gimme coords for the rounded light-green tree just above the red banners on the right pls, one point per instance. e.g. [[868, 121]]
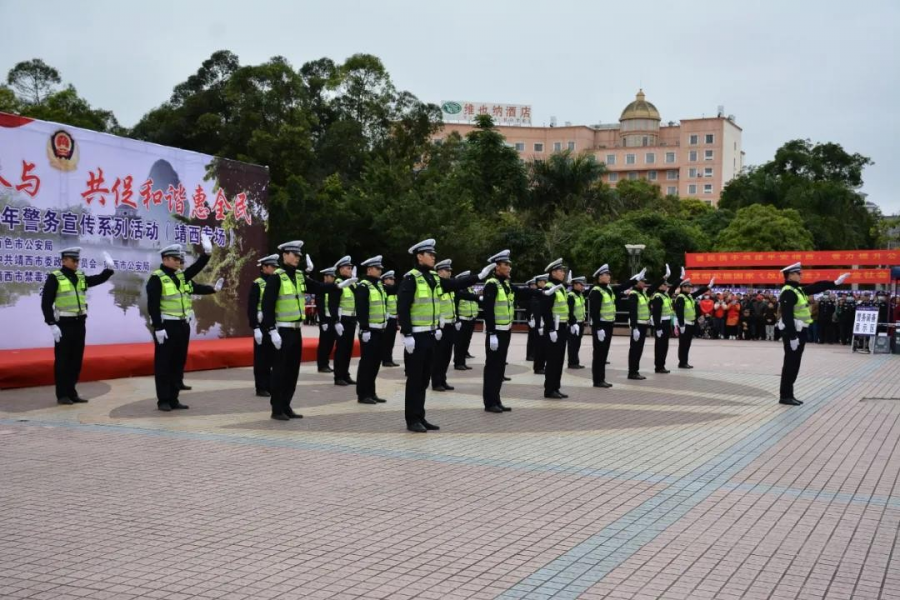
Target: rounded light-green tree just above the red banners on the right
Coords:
[[760, 228]]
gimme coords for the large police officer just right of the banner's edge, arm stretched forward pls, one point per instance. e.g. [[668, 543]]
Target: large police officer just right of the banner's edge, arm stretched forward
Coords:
[[284, 307]]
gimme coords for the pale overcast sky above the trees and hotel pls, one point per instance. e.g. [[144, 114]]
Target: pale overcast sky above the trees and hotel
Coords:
[[826, 70]]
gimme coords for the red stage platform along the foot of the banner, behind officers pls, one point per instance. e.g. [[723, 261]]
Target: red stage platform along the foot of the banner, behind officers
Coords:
[[32, 367]]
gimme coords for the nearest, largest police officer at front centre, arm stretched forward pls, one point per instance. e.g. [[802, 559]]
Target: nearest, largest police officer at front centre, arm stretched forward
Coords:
[[418, 310]]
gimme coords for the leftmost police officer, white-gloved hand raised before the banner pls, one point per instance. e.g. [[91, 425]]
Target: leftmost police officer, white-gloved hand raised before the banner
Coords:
[[64, 304]]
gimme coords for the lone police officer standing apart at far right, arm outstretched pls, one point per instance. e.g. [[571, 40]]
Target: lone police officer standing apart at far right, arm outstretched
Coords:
[[795, 319]]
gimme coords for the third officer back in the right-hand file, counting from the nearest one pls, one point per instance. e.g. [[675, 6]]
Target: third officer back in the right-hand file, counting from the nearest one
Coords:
[[558, 321]]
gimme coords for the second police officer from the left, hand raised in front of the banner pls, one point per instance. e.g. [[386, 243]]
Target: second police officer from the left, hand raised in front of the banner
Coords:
[[170, 305]]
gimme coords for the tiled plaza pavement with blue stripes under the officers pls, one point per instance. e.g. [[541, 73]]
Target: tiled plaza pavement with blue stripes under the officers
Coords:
[[696, 484]]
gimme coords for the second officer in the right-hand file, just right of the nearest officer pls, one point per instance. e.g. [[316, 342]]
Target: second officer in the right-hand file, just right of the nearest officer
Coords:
[[499, 298]]
